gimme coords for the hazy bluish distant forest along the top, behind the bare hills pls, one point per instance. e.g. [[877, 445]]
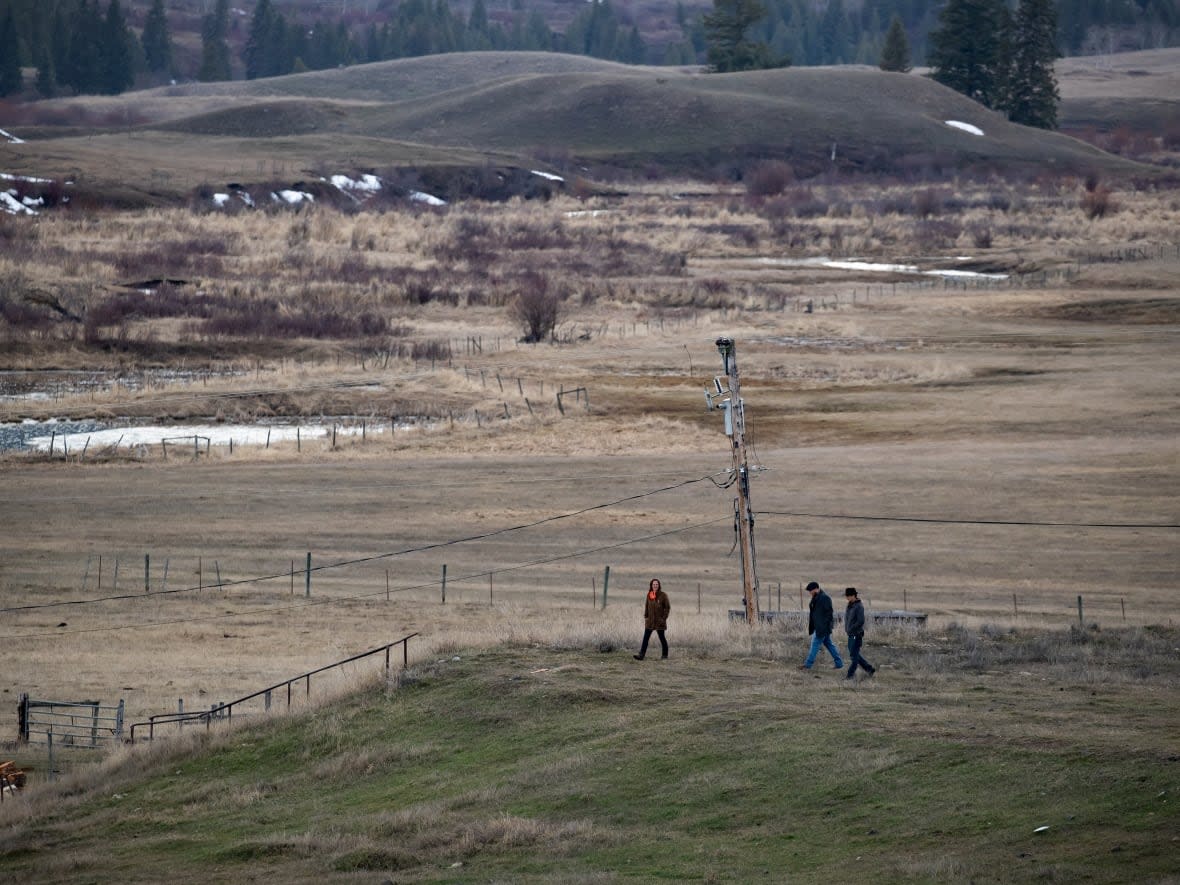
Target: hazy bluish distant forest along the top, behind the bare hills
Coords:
[[108, 47]]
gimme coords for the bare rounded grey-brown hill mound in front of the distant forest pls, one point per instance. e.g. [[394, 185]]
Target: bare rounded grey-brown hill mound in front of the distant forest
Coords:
[[566, 114]]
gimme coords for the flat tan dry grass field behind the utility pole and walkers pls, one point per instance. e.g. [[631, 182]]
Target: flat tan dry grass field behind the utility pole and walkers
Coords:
[[984, 453]]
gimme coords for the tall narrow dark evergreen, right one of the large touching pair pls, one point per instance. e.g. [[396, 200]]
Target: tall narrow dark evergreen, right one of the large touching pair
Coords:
[[1032, 94]]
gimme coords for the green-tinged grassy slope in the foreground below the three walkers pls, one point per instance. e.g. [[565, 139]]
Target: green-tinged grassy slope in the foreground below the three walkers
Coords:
[[709, 768]]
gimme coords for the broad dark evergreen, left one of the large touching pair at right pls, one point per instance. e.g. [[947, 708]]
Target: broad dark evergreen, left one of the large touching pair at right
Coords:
[[967, 49]]
